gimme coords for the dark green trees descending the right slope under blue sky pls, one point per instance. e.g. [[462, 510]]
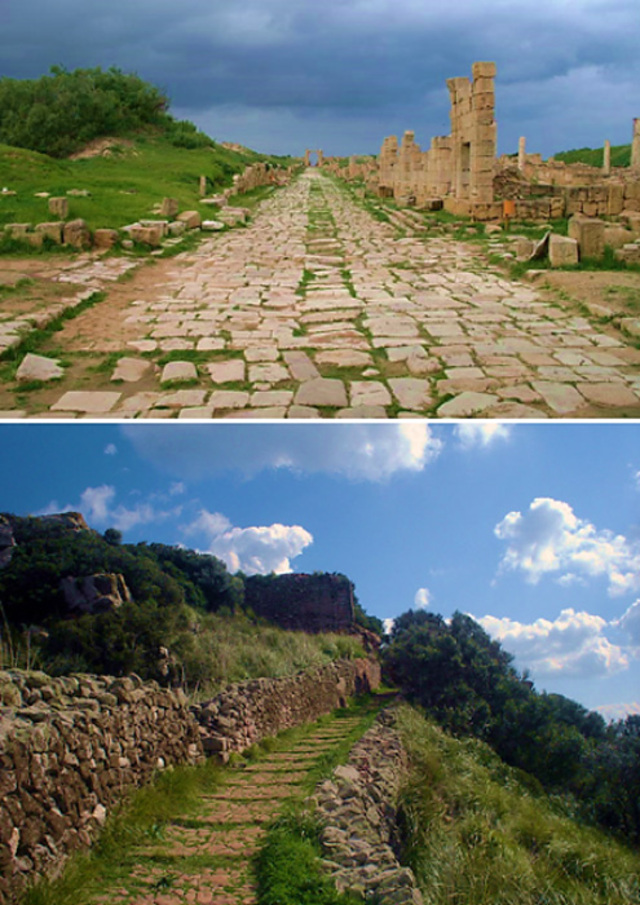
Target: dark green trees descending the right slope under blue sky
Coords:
[[468, 683]]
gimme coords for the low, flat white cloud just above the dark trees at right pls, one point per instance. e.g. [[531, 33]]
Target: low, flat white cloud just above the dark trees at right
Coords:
[[574, 644]]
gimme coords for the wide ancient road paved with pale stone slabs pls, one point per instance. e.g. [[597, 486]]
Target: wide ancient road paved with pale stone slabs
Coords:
[[317, 309]]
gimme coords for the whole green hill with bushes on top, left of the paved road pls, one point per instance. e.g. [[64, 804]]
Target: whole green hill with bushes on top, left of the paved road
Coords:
[[140, 153]]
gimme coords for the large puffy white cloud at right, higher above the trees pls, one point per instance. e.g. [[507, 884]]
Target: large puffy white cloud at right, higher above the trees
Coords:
[[549, 537]]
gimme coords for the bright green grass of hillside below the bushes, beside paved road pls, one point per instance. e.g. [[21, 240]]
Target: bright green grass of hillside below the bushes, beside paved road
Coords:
[[124, 186]]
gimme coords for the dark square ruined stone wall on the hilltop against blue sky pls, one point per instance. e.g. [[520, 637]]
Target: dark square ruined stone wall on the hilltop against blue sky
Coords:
[[310, 603]]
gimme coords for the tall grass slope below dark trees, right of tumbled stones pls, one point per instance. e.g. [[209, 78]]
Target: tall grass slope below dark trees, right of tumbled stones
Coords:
[[480, 833]]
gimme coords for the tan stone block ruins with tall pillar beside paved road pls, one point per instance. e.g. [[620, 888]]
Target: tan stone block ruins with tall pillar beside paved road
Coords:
[[461, 172]]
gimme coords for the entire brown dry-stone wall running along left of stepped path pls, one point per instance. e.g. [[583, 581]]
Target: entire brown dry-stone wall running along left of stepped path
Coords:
[[71, 748]]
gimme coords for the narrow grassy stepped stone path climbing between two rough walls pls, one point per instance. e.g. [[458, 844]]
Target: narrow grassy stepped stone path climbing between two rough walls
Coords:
[[207, 859]]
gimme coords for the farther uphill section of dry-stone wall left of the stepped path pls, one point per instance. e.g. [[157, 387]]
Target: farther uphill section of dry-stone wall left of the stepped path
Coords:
[[250, 711]]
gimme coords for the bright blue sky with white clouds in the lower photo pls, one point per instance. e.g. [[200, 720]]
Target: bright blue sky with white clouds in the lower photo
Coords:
[[533, 529]]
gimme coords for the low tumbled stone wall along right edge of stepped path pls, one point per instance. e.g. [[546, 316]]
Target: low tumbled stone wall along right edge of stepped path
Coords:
[[359, 807]]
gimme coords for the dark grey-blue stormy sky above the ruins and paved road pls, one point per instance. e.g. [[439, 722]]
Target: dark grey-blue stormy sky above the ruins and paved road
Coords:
[[284, 75]]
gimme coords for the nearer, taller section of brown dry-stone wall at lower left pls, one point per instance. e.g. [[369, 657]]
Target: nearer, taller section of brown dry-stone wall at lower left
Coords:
[[69, 750]]
